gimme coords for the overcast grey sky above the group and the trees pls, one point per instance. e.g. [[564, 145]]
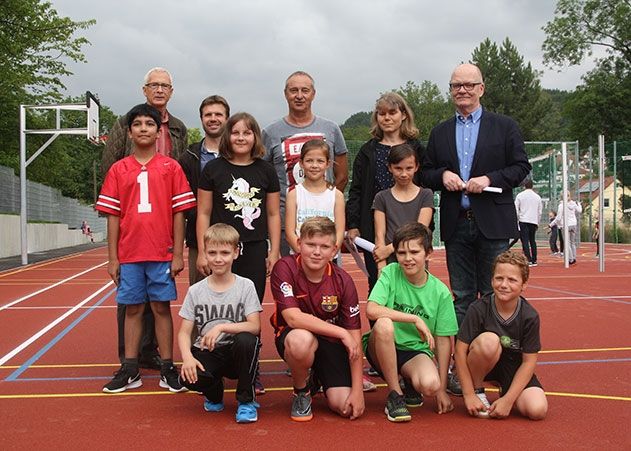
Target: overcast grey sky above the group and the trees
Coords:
[[244, 50]]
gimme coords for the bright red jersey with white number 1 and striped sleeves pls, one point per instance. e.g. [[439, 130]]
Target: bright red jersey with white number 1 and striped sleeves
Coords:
[[145, 197]]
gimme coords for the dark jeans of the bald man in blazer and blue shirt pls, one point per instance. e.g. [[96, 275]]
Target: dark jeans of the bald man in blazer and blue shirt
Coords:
[[470, 257]]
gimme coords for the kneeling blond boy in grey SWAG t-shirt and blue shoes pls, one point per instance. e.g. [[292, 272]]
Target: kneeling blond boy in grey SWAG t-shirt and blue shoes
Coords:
[[225, 310]]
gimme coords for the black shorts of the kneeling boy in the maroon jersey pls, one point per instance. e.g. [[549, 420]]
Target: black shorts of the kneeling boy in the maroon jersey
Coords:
[[331, 365]]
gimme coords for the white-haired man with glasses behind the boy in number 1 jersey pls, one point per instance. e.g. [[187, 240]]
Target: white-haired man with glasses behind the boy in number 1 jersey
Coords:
[[157, 88]]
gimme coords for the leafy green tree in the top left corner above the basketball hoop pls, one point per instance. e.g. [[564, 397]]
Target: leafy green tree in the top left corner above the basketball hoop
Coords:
[[35, 46]]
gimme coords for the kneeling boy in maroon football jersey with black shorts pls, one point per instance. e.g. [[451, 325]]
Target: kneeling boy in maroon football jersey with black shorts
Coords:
[[317, 323]]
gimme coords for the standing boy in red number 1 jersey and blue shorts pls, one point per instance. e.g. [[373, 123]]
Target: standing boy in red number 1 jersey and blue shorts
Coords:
[[144, 196]]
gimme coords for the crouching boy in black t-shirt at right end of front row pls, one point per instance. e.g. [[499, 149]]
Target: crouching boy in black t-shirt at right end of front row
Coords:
[[498, 341]]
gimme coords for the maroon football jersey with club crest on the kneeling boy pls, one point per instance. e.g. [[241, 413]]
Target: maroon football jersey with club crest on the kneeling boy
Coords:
[[334, 299]]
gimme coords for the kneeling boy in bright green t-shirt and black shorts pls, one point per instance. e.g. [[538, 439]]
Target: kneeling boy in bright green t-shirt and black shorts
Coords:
[[413, 313]]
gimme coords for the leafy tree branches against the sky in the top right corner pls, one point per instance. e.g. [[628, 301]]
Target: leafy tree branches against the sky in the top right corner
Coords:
[[580, 25]]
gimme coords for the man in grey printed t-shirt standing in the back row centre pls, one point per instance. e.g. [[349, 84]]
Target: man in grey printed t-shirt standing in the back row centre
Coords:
[[284, 138]]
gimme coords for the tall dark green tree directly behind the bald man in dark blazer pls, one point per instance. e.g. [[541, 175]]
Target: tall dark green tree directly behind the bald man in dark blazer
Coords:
[[512, 88]]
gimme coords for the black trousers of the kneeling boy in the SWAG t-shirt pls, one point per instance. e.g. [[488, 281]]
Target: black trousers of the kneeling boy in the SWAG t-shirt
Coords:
[[238, 360]]
